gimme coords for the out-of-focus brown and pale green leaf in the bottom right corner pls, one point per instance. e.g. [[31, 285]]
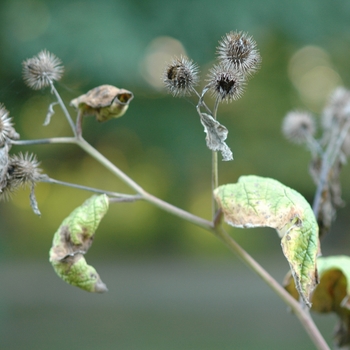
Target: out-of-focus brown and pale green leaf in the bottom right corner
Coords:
[[332, 294]]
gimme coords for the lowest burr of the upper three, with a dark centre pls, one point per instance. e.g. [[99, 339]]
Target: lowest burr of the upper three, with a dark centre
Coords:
[[225, 84]]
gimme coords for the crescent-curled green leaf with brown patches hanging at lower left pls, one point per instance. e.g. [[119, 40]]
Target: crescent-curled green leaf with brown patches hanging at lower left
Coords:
[[73, 239]]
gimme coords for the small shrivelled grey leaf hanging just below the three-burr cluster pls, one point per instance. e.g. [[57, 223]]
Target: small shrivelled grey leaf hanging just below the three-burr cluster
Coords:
[[216, 136]]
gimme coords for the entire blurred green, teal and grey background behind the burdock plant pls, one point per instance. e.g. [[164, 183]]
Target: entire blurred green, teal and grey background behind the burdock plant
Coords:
[[172, 285]]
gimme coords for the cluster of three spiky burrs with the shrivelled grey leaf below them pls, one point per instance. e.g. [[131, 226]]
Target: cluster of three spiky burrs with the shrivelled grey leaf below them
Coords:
[[238, 59]]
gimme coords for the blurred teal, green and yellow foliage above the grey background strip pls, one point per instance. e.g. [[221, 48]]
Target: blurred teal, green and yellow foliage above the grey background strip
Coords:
[[160, 141]]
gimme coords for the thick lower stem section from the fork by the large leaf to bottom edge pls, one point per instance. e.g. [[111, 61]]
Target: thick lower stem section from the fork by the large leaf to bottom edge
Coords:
[[302, 315]]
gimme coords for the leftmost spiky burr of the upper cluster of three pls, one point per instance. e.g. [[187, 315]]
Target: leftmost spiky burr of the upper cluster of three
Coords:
[[181, 76]]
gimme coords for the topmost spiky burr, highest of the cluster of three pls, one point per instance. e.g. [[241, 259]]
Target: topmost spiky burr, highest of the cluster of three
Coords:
[[238, 50]]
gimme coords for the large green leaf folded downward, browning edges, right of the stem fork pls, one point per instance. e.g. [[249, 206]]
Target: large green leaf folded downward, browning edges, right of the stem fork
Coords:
[[256, 201]]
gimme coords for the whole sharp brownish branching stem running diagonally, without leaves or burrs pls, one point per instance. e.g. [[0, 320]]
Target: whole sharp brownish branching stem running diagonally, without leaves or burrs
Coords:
[[212, 226]]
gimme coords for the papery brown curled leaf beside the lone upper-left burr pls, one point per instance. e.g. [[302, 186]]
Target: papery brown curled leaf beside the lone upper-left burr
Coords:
[[104, 102]]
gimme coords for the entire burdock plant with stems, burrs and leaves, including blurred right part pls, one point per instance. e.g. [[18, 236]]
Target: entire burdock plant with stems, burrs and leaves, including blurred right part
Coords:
[[252, 201]]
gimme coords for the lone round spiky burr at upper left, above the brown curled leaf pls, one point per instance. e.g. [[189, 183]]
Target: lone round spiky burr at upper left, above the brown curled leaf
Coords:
[[42, 69]]
